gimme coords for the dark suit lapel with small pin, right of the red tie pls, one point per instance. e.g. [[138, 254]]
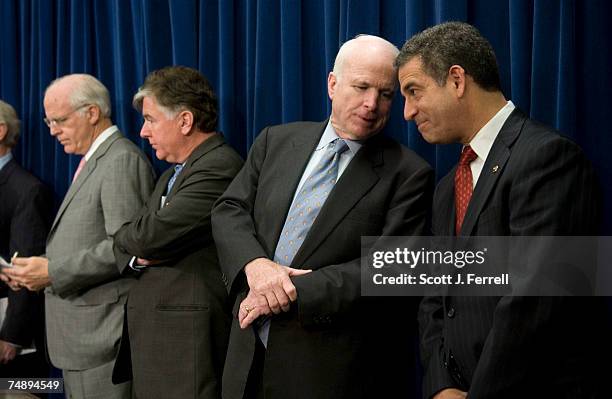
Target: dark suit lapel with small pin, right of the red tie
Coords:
[[492, 169]]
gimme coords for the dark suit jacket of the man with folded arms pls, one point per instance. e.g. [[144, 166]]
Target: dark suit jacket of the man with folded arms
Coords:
[[177, 312]]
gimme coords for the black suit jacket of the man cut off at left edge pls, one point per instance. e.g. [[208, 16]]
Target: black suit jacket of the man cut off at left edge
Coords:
[[25, 216]]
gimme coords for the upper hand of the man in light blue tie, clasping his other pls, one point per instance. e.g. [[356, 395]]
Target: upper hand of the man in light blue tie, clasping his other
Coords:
[[273, 282]]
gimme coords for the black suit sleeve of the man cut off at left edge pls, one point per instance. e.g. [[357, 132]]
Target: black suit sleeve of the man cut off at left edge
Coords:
[[29, 227]]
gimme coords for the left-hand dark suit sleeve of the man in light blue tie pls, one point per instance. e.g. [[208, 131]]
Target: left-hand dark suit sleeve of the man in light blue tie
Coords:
[[232, 219]]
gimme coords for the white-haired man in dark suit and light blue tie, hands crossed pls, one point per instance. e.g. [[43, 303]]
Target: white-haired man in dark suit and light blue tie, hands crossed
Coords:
[[288, 231]]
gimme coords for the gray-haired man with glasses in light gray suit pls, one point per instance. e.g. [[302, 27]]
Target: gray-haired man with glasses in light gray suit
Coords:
[[85, 292]]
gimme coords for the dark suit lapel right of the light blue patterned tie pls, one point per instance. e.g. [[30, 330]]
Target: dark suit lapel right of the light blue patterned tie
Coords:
[[358, 178]]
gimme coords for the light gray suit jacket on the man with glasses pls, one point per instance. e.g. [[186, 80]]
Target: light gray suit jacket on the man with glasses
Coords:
[[84, 304]]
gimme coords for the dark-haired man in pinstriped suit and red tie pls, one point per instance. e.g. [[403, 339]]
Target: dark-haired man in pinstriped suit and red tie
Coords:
[[515, 177]]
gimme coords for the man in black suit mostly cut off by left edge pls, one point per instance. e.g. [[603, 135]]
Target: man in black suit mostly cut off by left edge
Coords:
[[25, 216]]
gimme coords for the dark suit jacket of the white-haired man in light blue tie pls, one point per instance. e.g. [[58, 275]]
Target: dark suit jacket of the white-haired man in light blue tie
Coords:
[[333, 343]]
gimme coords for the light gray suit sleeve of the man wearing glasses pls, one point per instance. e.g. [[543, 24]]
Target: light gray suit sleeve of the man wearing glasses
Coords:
[[126, 185]]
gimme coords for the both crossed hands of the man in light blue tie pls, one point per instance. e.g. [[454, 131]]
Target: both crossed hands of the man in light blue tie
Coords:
[[270, 290]]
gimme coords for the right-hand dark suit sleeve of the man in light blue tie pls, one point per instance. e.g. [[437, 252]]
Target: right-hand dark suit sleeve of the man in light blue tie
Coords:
[[334, 290]]
